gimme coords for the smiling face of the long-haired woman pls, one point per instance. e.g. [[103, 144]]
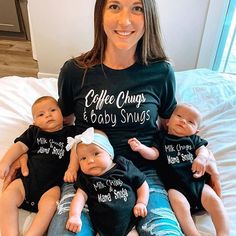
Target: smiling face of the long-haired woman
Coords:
[[123, 23]]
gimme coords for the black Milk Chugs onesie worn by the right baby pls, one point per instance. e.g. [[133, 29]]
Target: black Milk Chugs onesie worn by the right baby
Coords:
[[175, 163]]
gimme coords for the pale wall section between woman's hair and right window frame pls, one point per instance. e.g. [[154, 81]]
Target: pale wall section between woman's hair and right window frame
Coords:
[[182, 23]]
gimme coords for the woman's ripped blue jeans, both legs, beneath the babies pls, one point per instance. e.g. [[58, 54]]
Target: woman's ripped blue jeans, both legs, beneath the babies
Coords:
[[159, 221]]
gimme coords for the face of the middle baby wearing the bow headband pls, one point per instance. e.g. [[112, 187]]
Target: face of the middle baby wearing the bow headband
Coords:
[[93, 160]]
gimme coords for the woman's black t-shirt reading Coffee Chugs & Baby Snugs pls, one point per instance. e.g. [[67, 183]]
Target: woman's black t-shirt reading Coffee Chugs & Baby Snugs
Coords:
[[123, 103]]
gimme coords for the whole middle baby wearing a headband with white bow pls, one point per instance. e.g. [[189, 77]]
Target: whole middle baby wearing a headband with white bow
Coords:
[[116, 191]]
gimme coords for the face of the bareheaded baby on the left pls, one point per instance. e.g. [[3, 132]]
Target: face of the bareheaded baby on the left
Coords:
[[47, 115]]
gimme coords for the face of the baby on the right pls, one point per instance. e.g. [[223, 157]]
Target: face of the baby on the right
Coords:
[[183, 122]]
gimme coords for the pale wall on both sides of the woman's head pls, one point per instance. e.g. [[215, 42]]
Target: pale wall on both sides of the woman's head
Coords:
[[64, 28]]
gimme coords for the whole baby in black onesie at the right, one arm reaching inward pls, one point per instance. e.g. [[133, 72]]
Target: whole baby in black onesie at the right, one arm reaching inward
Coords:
[[179, 152]]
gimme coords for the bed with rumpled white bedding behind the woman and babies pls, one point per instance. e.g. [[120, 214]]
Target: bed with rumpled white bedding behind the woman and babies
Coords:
[[213, 93]]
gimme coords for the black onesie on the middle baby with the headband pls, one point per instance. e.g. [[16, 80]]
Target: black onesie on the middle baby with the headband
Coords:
[[112, 196]]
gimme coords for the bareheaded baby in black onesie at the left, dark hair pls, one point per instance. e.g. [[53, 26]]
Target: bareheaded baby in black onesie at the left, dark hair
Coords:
[[45, 143]]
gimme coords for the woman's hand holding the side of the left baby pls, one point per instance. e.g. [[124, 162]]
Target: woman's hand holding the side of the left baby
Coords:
[[20, 163]]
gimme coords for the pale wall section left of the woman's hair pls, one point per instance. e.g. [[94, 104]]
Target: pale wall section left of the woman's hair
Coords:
[[61, 29]]
